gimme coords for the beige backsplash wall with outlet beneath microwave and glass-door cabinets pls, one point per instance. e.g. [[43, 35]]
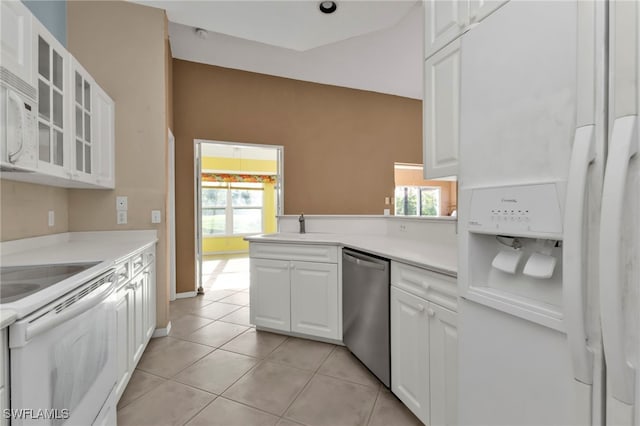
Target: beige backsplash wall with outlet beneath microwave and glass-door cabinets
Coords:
[[24, 209]]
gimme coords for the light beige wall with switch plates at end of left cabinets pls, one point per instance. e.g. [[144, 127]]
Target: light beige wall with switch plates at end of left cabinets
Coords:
[[123, 45]]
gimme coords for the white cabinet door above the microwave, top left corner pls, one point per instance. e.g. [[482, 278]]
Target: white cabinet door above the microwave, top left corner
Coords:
[[16, 41]]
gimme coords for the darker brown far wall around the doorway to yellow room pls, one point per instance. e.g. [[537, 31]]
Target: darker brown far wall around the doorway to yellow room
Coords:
[[340, 144]]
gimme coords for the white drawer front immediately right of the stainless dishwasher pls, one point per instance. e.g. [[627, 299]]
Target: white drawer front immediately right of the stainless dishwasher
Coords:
[[431, 286]]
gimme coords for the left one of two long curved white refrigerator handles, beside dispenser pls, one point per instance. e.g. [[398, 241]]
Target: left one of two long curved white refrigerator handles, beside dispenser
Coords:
[[574, 298]]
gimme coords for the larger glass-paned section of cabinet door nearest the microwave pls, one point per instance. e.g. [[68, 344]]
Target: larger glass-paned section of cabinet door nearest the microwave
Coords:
[[51, 93]]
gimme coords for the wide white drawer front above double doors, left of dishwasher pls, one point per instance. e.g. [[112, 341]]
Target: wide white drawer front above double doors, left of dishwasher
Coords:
[[303, 252]]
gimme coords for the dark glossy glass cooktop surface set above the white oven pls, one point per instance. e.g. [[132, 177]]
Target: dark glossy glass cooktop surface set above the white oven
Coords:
[[17, 282]]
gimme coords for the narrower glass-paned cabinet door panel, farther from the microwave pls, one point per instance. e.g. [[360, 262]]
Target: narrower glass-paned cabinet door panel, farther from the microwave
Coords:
[[83, 88]]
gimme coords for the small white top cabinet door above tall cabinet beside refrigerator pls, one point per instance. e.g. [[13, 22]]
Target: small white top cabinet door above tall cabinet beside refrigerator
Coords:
[[444, 21]]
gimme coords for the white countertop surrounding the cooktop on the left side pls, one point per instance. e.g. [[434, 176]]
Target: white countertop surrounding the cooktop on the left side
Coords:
[[107, 248]]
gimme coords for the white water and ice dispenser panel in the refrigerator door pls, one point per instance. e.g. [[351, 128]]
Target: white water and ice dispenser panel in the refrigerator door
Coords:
[[514, 242]]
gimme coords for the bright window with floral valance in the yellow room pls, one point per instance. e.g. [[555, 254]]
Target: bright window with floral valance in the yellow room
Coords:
[[232, 208]]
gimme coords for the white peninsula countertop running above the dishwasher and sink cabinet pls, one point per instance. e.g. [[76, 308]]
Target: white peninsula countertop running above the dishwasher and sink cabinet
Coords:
[[436, 257]]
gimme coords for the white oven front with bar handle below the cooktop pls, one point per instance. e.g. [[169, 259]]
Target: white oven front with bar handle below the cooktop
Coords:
[[63, 362]]
